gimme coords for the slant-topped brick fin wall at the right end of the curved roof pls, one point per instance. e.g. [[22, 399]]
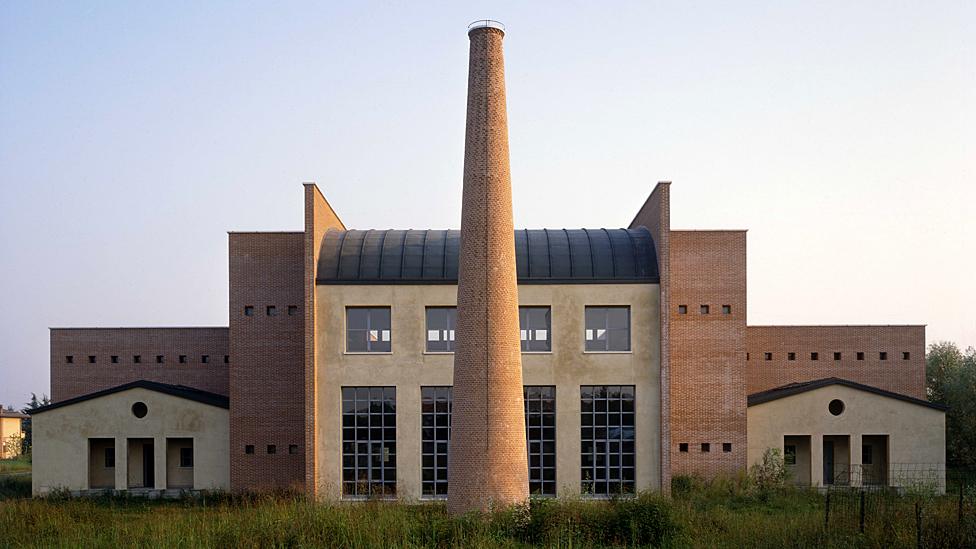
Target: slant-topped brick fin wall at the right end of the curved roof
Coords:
[[655, 214]]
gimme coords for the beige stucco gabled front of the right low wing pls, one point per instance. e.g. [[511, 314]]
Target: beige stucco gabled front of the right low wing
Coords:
[[916, 434]]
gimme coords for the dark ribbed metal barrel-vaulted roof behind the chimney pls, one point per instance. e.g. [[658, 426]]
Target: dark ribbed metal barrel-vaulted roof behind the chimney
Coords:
[[542, 256]]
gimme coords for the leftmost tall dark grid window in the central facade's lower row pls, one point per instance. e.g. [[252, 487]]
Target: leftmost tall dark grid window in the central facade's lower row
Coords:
[[368, 441]]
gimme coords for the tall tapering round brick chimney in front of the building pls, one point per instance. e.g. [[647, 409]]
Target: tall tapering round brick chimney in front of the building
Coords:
[[488, 454]]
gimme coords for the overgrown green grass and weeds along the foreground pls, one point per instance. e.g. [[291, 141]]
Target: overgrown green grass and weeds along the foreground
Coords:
[[722, 513]]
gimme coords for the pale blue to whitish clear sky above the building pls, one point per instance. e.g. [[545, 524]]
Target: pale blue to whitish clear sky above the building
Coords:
[[133, 136]]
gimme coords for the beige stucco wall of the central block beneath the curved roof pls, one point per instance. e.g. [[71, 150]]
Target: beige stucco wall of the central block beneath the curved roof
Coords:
[[409, 368]]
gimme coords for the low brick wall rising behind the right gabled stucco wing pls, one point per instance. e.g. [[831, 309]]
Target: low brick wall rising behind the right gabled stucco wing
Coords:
[[895, 373]]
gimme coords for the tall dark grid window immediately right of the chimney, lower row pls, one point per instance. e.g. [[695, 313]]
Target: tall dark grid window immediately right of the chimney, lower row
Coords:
[[540, 434]]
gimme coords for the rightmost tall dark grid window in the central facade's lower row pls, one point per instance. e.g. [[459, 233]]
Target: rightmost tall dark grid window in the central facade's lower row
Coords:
[[607, 439]]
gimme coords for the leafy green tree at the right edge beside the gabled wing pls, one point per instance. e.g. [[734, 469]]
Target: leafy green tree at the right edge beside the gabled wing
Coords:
[[951, 380]]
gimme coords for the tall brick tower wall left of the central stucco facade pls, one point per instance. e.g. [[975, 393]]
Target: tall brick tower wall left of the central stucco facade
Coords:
[[267, 381]]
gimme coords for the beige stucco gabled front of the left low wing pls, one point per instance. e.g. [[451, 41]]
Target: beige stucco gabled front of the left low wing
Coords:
[[61, 450]]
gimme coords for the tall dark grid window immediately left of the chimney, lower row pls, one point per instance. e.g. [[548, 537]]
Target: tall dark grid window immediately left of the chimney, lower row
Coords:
[[435, 426]]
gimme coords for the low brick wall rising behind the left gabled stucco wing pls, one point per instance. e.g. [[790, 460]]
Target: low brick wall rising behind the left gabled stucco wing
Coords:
[[81, 377]]
